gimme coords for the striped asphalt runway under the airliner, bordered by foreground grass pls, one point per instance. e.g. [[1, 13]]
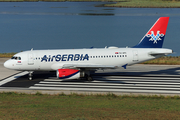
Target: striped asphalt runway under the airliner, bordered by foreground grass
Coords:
[[155, 79]]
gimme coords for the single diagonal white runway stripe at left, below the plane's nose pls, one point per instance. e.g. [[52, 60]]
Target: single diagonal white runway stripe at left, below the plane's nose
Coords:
[[13, 78]]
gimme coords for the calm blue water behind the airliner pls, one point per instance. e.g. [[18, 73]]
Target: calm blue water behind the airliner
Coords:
[[71, 25]]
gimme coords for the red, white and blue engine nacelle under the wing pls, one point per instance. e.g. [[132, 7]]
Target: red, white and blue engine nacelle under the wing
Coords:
[[69, 74]]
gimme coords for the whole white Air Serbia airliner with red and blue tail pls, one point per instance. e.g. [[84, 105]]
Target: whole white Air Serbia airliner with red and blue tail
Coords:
[[78, 63]]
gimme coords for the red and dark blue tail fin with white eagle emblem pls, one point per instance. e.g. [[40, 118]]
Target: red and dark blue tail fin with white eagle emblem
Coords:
[[155, 36]]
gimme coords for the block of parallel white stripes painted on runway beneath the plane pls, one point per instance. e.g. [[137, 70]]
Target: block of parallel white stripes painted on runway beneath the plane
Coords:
[[142, 84]]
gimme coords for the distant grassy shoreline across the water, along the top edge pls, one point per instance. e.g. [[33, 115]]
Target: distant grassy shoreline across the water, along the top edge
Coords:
[[118, 3]]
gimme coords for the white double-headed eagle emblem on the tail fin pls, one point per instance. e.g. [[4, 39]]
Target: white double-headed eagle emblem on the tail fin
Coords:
[[155, 38]]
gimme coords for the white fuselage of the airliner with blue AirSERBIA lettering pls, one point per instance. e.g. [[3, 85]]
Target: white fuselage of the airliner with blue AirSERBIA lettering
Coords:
[[51, 60]]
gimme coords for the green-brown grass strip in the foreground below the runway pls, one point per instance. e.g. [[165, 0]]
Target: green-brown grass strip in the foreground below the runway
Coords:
[[82, 107]]
